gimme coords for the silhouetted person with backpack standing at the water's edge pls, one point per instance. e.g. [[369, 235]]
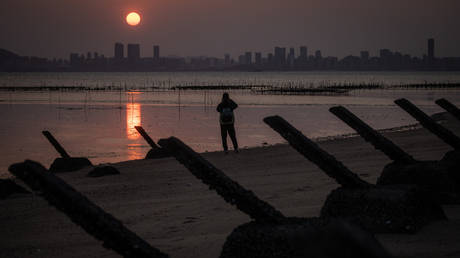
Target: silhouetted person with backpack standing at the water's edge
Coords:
[[227, 121]]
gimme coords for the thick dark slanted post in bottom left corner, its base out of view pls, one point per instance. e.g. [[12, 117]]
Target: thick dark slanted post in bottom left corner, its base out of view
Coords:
[[83, 212]]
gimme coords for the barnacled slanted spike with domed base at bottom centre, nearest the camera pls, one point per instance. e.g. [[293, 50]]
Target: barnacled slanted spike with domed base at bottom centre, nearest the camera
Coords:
[[270, 234]]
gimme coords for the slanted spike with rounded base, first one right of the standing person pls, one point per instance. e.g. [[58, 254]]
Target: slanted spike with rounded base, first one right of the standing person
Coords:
[[397, 209]]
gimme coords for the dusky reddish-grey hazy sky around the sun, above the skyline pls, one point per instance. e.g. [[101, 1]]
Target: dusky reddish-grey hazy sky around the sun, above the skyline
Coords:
[[54, 28]]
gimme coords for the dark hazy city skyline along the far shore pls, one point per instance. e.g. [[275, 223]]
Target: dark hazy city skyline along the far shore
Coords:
[[129, 58]]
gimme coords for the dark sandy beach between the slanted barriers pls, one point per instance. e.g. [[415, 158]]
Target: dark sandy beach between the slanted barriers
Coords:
[[165, 205]]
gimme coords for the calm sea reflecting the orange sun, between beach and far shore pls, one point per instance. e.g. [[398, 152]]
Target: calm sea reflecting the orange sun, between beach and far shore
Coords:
[[100, 124]]
